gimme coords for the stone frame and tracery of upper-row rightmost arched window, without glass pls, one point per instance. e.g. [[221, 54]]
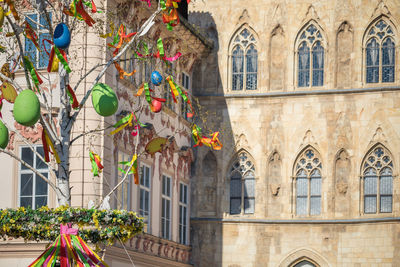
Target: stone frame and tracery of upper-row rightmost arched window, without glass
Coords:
[[367, 38]]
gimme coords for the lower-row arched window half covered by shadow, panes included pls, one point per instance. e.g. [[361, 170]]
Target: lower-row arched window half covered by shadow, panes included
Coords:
[[242, 185]]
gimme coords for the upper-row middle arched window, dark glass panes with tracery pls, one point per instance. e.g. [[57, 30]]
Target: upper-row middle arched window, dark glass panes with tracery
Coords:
[[310, 57]]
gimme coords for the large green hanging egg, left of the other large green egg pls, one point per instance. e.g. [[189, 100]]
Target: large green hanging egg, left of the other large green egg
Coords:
[[26, 108]]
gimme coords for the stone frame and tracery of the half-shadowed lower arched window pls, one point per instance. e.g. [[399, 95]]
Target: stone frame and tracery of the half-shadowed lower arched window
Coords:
[[243, 178]]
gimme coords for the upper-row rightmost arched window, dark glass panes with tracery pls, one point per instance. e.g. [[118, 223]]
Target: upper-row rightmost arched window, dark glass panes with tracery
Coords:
[[380, 53]]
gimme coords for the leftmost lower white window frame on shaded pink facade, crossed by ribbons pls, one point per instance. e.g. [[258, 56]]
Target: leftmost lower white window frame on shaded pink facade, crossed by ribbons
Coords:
[[126, 184]]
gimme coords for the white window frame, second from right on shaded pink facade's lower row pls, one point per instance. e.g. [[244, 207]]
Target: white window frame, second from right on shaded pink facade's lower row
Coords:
[[168, 199]]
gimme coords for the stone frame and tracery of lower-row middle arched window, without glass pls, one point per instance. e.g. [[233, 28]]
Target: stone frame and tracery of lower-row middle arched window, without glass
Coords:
[[315, 166]]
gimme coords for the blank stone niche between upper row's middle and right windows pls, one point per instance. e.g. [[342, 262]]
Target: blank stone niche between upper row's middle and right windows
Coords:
[[344, 48]]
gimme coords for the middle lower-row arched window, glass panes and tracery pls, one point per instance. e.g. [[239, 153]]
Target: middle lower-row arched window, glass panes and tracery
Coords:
[[308, 183]]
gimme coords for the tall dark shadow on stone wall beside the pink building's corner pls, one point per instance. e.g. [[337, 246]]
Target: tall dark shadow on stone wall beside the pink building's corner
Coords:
[[208, 185]]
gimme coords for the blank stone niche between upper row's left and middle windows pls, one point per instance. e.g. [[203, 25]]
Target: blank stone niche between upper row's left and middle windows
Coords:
[[277, 59]]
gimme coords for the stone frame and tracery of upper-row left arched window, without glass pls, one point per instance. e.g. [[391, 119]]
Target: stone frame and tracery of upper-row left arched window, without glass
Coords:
[[232, 46]]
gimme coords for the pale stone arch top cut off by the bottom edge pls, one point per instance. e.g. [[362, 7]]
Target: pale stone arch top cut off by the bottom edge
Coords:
[[302, 254]]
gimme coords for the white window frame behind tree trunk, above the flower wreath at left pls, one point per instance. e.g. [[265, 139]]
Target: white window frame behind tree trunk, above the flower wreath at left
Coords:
[[34, 177]]
